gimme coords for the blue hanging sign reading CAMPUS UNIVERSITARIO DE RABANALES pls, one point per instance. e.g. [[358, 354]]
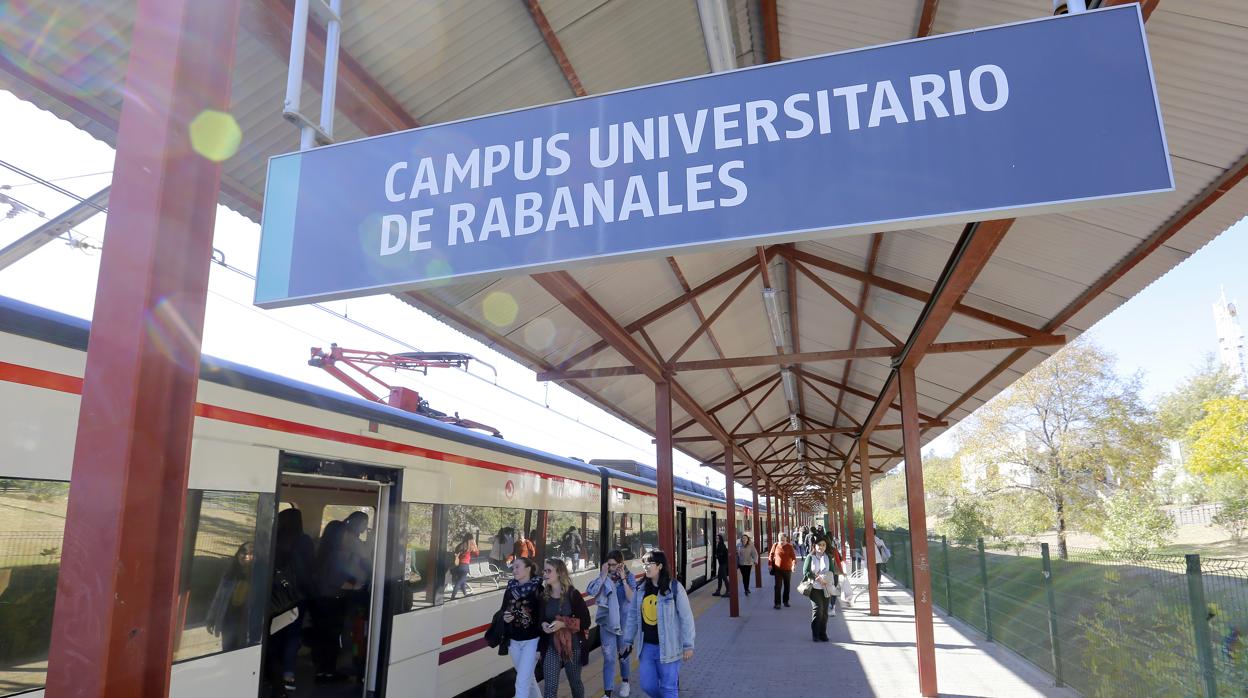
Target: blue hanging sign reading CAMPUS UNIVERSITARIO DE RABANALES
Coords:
[[997, 123]]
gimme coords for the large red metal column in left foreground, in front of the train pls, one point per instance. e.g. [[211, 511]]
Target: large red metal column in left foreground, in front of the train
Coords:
[[115, 612]]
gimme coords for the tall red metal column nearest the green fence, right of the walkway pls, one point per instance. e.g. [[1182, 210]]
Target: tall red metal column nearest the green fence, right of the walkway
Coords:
[[923, 589]]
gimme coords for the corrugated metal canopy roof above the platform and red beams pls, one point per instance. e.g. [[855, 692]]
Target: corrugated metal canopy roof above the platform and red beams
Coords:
[[450, 59]]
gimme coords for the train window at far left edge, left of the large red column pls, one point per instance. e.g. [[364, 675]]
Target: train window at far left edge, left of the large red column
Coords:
[[32, 531]]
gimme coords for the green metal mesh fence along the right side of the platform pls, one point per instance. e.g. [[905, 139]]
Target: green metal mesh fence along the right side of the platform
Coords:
[[1105, 624]]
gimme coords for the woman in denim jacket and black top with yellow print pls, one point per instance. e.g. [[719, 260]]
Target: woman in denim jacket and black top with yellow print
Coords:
[[663, 625]]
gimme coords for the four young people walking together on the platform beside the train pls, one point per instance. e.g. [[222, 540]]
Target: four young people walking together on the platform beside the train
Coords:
[[546, 622]]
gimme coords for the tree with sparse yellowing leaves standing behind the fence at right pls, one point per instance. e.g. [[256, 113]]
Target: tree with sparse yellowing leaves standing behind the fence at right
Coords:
[[1071, 431]]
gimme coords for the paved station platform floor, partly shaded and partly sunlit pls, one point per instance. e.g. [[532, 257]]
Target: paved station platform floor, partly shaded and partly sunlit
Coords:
[[768, 652]]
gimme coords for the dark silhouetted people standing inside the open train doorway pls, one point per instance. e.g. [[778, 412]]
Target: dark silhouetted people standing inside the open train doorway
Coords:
[[328, 584]]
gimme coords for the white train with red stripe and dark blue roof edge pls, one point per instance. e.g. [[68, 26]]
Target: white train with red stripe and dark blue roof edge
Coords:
[[265, 444]]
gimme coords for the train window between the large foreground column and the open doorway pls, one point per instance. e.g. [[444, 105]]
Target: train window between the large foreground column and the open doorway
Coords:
[[220, 601]]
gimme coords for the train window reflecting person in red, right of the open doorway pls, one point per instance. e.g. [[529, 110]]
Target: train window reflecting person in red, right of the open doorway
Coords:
[[481, 544]]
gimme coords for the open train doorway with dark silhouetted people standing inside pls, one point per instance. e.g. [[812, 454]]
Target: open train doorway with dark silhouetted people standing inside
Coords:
[[334, 561]]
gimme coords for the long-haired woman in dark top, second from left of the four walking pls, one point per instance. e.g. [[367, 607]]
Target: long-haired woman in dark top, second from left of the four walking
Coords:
[[566, 626]]
